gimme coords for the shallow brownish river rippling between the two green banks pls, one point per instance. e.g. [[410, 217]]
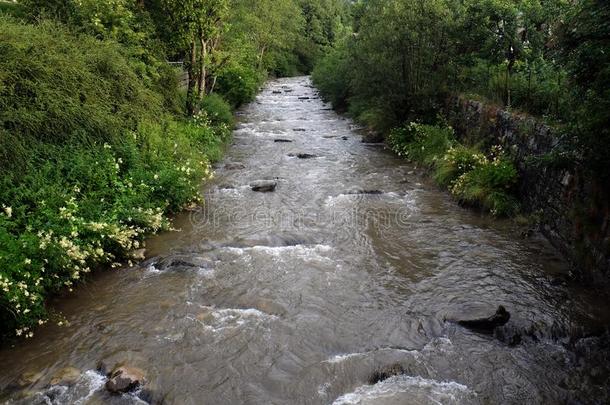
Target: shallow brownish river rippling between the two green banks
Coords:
[[355, 267]]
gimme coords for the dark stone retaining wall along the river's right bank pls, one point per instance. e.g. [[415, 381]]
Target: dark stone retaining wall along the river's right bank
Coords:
[[573, 210]]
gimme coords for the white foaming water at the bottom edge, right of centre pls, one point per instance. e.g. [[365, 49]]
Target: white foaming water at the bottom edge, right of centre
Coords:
[[408, 389]]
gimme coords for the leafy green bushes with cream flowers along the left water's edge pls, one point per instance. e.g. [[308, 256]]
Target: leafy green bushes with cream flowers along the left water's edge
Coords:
[[85, 207]]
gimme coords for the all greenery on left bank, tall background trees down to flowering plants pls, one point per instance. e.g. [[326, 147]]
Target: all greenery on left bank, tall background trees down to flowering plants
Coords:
[[99, 139]]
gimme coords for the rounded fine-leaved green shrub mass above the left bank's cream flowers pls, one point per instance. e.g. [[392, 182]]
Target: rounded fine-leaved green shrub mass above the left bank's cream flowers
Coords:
[[56, 87]]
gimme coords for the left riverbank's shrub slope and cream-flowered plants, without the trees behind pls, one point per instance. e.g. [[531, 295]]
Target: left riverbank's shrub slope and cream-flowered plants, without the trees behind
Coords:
[[95, 157]]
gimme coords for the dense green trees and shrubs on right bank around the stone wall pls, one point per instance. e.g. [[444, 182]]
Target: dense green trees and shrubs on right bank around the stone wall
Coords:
[[547, 58]]
